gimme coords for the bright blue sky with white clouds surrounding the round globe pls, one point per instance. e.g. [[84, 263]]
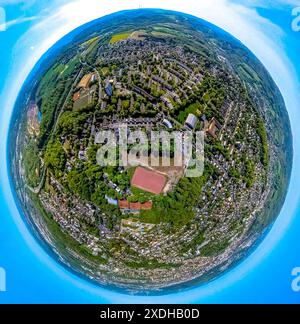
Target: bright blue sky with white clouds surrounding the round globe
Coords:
[[263, 26]]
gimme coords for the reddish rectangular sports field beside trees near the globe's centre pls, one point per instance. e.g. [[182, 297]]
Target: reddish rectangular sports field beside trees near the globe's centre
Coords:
[[148, 180]]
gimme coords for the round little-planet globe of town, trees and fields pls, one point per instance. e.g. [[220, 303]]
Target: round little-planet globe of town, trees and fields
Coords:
[[139, 227]]
